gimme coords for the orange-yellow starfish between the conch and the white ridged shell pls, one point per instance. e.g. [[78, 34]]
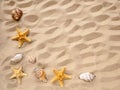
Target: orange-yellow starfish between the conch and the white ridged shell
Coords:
[[60, 76]]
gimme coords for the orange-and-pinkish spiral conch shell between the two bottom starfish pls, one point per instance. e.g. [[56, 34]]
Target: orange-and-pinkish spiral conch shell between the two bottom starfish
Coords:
[[40, 74]]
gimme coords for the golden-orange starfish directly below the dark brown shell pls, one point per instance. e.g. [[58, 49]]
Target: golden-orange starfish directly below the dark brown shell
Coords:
[[21, 37]]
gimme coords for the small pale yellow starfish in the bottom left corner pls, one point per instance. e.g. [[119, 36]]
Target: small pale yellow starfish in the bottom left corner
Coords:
[[18, 74]]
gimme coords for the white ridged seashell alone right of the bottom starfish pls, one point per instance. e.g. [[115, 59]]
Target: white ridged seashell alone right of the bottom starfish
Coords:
[[87, 76]]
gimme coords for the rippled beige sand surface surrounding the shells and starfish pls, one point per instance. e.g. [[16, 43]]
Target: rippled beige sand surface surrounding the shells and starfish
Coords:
[[82, 35]]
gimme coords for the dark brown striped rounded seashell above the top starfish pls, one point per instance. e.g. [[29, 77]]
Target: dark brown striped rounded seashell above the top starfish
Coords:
[[16, 14]]
